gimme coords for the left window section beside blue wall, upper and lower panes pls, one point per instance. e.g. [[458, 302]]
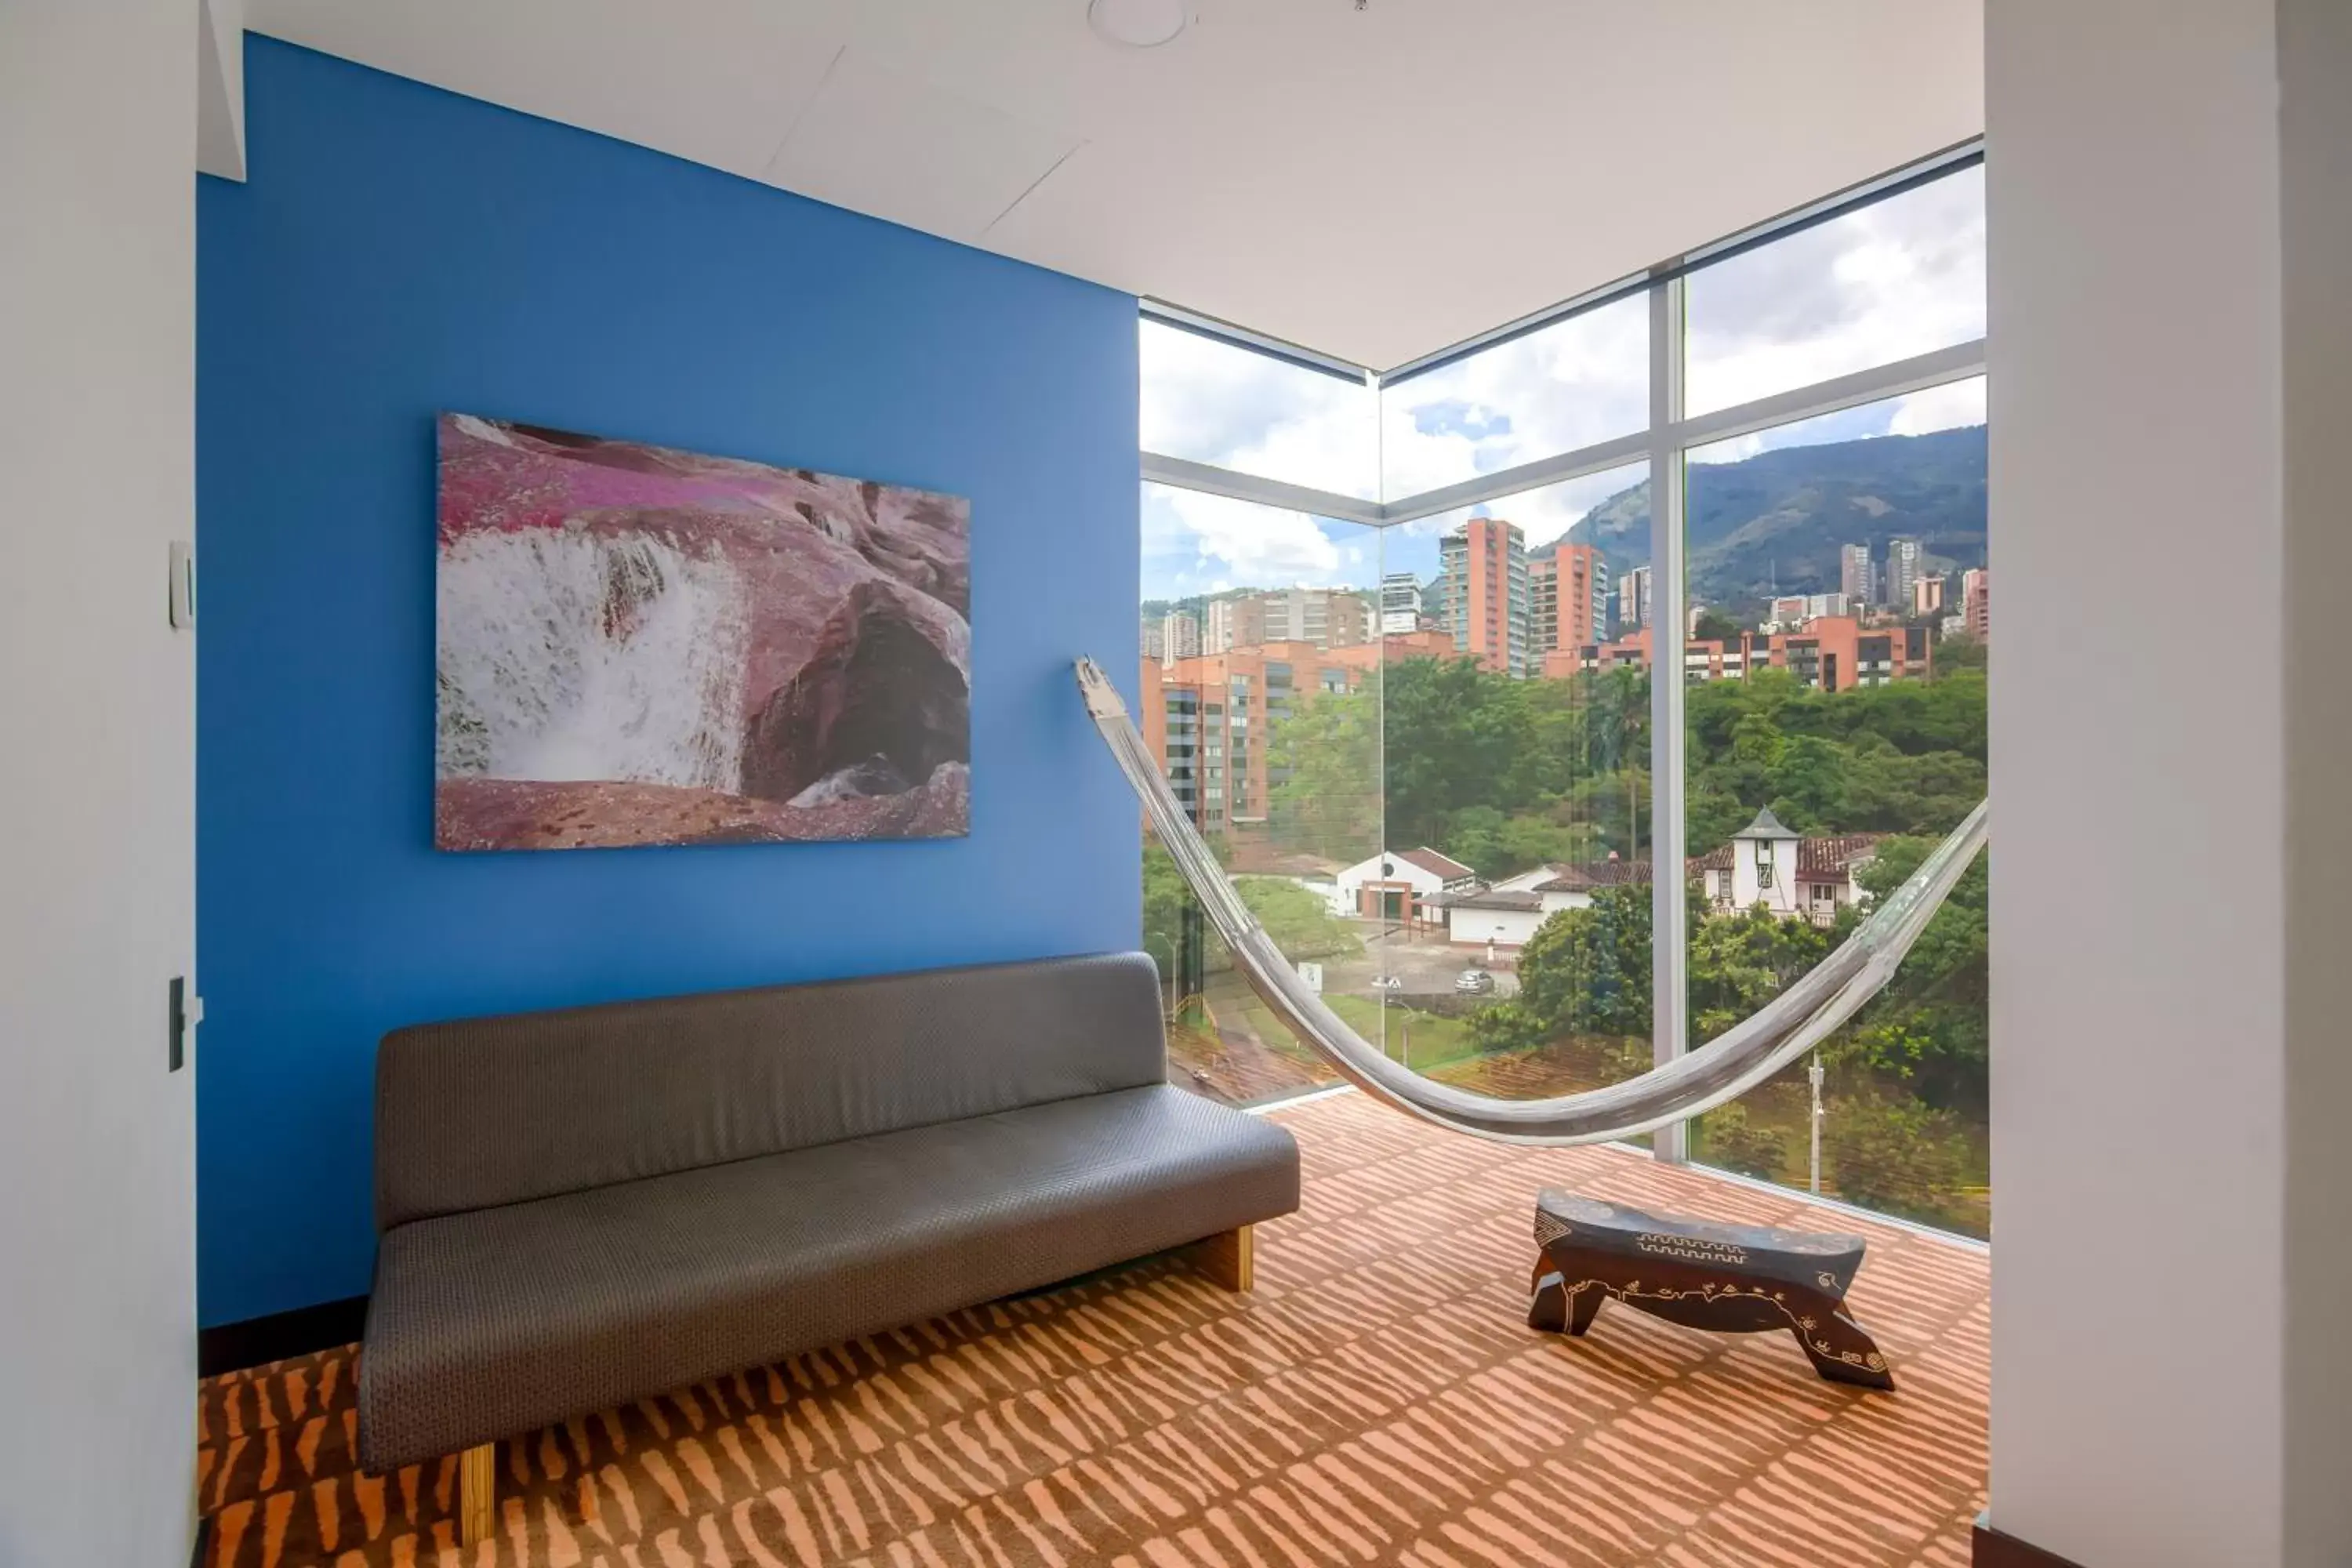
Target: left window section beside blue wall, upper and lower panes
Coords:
[[1262, 690]]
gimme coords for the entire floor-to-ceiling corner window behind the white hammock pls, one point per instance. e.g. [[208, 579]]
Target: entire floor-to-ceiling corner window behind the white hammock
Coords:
[[1452, 659]]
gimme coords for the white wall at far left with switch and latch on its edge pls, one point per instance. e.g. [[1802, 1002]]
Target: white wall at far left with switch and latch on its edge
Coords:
[[98, 800]]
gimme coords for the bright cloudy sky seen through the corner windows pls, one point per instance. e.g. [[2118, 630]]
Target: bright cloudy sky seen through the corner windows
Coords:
[[1890, 281]]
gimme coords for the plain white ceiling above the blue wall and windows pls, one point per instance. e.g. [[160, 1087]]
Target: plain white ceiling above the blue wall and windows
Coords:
[[1368, 182]]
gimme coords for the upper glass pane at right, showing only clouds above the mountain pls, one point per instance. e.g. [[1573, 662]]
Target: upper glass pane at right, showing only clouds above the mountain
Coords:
[[1890, 281]]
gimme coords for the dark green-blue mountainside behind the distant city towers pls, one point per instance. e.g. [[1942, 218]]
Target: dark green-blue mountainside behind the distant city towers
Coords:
[[1782, 516]]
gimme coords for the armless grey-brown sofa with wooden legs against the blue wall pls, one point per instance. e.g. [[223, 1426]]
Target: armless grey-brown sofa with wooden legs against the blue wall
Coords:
[[587, 1207]]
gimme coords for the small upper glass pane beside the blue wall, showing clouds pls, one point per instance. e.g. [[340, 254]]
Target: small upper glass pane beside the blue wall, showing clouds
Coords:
[[1217, 403]]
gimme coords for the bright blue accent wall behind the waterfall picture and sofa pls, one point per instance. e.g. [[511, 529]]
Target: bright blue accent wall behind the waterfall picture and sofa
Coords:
[[401, 250]]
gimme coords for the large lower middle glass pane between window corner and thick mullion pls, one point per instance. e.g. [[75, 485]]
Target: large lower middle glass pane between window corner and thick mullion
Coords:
[[1518, 796]]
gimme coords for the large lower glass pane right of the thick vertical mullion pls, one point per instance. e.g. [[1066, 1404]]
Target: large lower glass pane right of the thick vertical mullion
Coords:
[[1836, 735]]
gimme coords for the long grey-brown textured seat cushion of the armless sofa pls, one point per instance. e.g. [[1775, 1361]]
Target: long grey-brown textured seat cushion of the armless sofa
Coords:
[[505, 1320]]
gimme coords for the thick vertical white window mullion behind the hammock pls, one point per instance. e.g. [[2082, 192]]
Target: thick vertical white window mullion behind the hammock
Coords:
[[1666, 742]]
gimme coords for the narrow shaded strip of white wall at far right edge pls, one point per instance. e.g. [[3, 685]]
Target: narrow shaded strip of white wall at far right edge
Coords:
[[2316, 69]]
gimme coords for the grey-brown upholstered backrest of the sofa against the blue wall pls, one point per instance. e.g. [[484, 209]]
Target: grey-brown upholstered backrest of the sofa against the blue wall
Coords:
[[500, 1111]]
